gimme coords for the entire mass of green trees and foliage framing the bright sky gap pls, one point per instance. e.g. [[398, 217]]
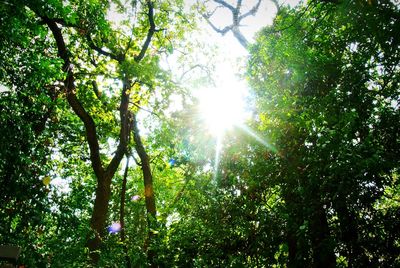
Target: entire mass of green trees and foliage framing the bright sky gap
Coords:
[[314, 184]]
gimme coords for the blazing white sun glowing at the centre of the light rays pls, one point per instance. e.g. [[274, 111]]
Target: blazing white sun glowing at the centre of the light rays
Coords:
[[223, 107]]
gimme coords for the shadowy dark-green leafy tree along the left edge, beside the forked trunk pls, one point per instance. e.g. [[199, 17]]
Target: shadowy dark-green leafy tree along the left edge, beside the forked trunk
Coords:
[[27, 102]]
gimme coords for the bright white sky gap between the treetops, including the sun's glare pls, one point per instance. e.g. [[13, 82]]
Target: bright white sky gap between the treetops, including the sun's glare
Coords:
[[223, 105]]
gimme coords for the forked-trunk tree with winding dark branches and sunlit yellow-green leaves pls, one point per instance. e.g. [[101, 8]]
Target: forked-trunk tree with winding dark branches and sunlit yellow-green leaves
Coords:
[[92, 53]]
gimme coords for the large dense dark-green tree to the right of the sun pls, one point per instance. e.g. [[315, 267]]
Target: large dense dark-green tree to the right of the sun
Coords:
[[327, 91]]
